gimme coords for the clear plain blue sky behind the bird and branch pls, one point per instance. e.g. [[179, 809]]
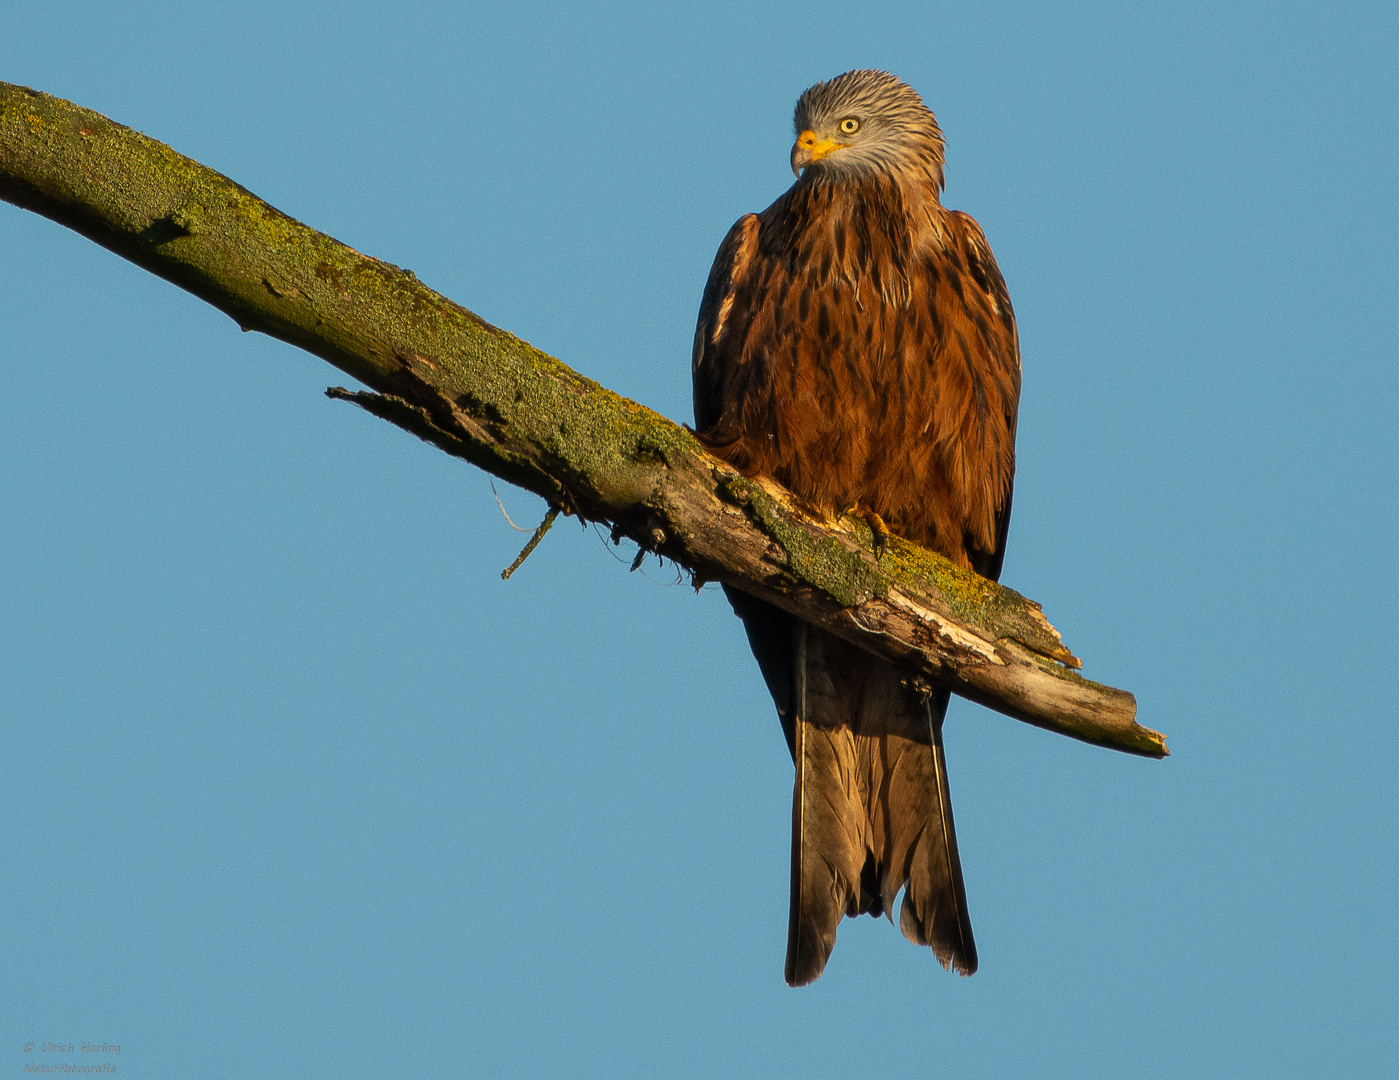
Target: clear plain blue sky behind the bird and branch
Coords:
[[294, 786]]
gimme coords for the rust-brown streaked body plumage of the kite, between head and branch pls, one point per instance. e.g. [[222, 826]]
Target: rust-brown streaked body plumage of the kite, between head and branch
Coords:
[[888, 378]]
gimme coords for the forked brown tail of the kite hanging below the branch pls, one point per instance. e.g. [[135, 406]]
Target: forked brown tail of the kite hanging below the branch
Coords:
[[871, 808]]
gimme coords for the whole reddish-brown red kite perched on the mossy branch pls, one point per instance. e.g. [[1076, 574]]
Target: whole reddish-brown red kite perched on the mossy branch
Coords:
[[857, 345]]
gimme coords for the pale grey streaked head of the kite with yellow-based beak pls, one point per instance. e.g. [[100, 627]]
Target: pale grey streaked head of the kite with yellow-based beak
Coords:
[[865, 124]]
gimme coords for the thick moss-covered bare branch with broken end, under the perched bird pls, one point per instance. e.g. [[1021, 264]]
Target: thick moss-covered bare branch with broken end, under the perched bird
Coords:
[[485, 395]]
